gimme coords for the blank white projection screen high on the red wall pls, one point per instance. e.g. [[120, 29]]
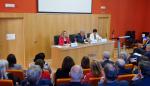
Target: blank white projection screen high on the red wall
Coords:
[[65, 6]]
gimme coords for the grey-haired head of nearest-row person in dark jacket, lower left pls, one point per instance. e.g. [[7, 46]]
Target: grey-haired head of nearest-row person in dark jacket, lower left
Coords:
[[34, 74]]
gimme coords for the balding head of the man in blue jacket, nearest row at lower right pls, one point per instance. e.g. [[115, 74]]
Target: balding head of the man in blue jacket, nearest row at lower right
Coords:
[[111, 72]]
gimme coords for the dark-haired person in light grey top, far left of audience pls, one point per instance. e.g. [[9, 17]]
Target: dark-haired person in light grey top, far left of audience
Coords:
[[12, 62]]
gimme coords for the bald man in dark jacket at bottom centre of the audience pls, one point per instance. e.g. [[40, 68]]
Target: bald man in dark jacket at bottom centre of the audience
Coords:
[[76, 74]]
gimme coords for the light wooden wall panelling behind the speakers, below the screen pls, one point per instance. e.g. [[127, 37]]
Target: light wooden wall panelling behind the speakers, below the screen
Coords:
[[39, 29]]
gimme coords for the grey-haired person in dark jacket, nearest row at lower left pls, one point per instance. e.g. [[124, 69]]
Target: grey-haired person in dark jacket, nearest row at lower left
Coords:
[[33, 77]]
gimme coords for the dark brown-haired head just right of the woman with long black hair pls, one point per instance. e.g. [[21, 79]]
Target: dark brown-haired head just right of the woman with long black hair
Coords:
[[85, 62]]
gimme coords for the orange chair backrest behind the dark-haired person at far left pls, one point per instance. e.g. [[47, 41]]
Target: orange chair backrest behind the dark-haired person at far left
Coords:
[[17, 73]]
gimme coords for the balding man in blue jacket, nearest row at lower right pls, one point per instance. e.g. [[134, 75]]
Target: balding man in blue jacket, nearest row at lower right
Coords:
[[110, 77]]
